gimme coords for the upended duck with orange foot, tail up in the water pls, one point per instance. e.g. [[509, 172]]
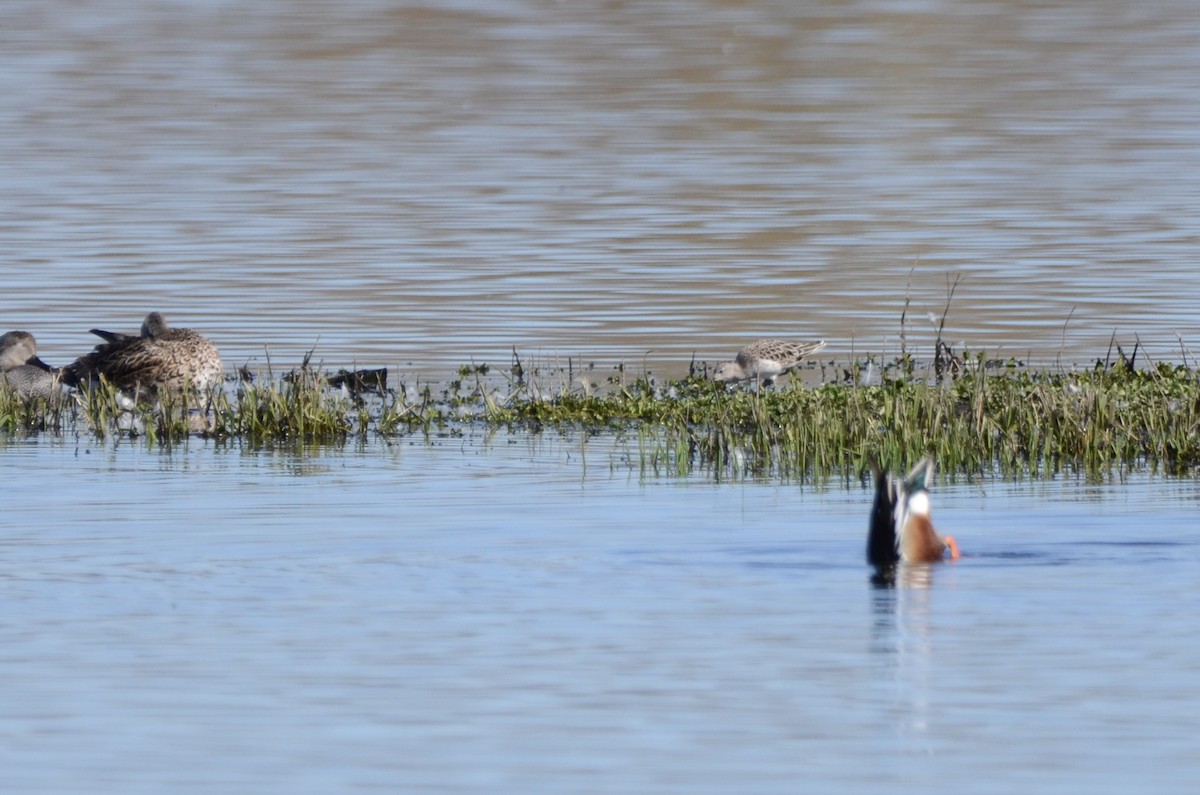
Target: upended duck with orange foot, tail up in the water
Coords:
[[902, 529]]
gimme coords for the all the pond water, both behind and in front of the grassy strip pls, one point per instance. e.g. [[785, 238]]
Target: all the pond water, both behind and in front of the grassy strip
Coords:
[[419, 187]]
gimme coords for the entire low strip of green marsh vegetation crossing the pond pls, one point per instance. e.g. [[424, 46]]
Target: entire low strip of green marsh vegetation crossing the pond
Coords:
[[974, 417]]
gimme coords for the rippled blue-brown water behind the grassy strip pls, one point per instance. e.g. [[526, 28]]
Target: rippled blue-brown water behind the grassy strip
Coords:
[[428, 186]]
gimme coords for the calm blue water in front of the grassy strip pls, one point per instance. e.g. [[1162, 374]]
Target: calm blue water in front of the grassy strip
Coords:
[[533, 614]]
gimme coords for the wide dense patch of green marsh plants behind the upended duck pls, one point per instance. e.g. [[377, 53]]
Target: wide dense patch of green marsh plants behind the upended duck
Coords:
[[986, 420]]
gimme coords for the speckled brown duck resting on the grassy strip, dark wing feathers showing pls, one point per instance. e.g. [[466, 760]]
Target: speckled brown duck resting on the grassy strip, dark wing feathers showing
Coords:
[[159, 360]]
